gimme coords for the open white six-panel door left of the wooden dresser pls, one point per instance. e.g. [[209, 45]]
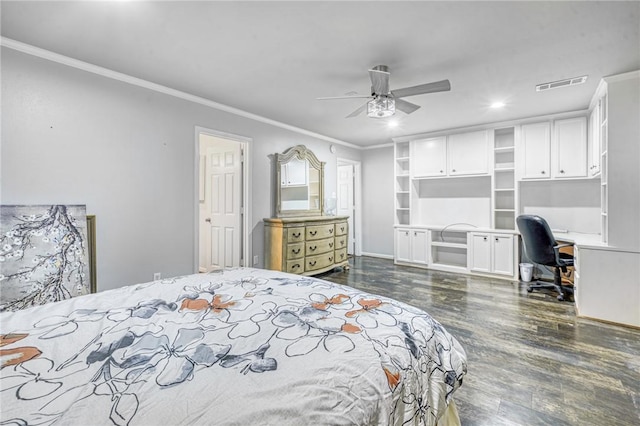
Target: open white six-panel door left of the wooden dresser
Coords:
[[220, 214]]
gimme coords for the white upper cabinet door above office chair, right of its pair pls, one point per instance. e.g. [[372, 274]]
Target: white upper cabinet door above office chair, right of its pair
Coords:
[[570, 142]]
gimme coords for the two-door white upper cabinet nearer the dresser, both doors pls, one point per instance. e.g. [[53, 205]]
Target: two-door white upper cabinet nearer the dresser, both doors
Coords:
[[454, 155]]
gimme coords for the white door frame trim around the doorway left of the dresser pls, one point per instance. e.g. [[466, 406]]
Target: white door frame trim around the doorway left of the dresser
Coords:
[[245, 144]]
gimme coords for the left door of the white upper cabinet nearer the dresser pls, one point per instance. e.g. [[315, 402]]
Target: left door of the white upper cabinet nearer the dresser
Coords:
[[429, 157]]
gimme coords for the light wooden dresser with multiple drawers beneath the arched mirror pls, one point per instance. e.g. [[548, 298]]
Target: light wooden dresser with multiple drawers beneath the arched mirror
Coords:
[[306, 245]]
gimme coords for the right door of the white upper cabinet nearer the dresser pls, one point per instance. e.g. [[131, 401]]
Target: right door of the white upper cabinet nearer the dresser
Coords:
[[468, 153]]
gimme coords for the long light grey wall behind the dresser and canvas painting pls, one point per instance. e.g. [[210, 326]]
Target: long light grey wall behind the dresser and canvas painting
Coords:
[[70, 136]]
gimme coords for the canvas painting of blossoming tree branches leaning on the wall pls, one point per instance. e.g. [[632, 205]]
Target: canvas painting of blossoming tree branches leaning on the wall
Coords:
[[43, 254]]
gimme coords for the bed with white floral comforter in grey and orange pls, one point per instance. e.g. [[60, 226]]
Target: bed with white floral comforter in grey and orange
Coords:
[[239, 346]]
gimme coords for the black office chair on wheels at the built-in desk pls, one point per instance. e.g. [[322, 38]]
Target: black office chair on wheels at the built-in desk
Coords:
[[542, 248]]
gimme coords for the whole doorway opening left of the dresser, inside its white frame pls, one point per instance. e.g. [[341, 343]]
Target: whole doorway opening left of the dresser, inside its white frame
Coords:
[[222, 222]]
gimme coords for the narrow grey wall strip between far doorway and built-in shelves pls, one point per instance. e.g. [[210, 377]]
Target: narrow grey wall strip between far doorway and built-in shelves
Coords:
[[378, 204]]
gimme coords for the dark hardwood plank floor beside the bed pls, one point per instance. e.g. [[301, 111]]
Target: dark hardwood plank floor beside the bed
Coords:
[[530, 360]]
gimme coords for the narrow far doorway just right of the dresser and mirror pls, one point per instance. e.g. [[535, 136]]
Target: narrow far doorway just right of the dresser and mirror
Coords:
[[349, 201]]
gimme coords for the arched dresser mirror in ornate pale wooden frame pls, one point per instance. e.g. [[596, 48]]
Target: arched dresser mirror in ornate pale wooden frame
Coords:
[[300, 183]]
